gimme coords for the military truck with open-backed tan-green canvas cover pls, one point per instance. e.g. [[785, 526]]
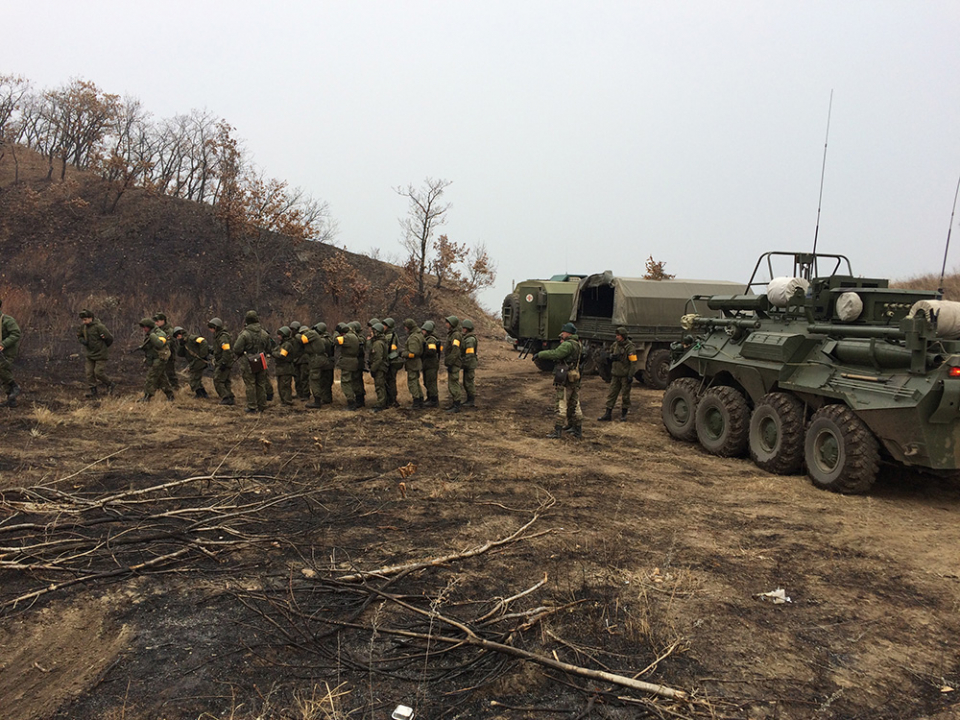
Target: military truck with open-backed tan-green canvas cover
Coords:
[[649, 309]]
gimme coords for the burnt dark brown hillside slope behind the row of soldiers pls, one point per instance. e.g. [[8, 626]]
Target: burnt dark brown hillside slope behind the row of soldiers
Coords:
[[63, 252]]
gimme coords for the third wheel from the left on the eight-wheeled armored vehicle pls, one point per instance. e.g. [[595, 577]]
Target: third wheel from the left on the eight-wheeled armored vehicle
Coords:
[[776, 433]]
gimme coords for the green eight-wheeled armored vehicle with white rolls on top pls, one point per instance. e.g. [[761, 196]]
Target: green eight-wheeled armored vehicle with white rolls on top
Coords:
[[822, 370]]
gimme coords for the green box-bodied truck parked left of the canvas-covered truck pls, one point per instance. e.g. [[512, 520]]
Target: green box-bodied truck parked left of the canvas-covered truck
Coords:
[[536, 310]]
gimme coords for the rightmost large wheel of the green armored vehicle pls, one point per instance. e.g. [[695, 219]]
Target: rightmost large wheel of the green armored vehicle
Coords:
[[841, 453]]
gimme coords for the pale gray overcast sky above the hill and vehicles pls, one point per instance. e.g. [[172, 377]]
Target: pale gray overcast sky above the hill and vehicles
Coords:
[[579, 136]]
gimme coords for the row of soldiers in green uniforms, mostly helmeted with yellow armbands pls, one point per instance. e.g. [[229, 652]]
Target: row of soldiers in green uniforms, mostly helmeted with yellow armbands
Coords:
[[304, 360]]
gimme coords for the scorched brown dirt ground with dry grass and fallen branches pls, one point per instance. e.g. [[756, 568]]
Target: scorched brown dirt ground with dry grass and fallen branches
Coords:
[[185, 560]]
